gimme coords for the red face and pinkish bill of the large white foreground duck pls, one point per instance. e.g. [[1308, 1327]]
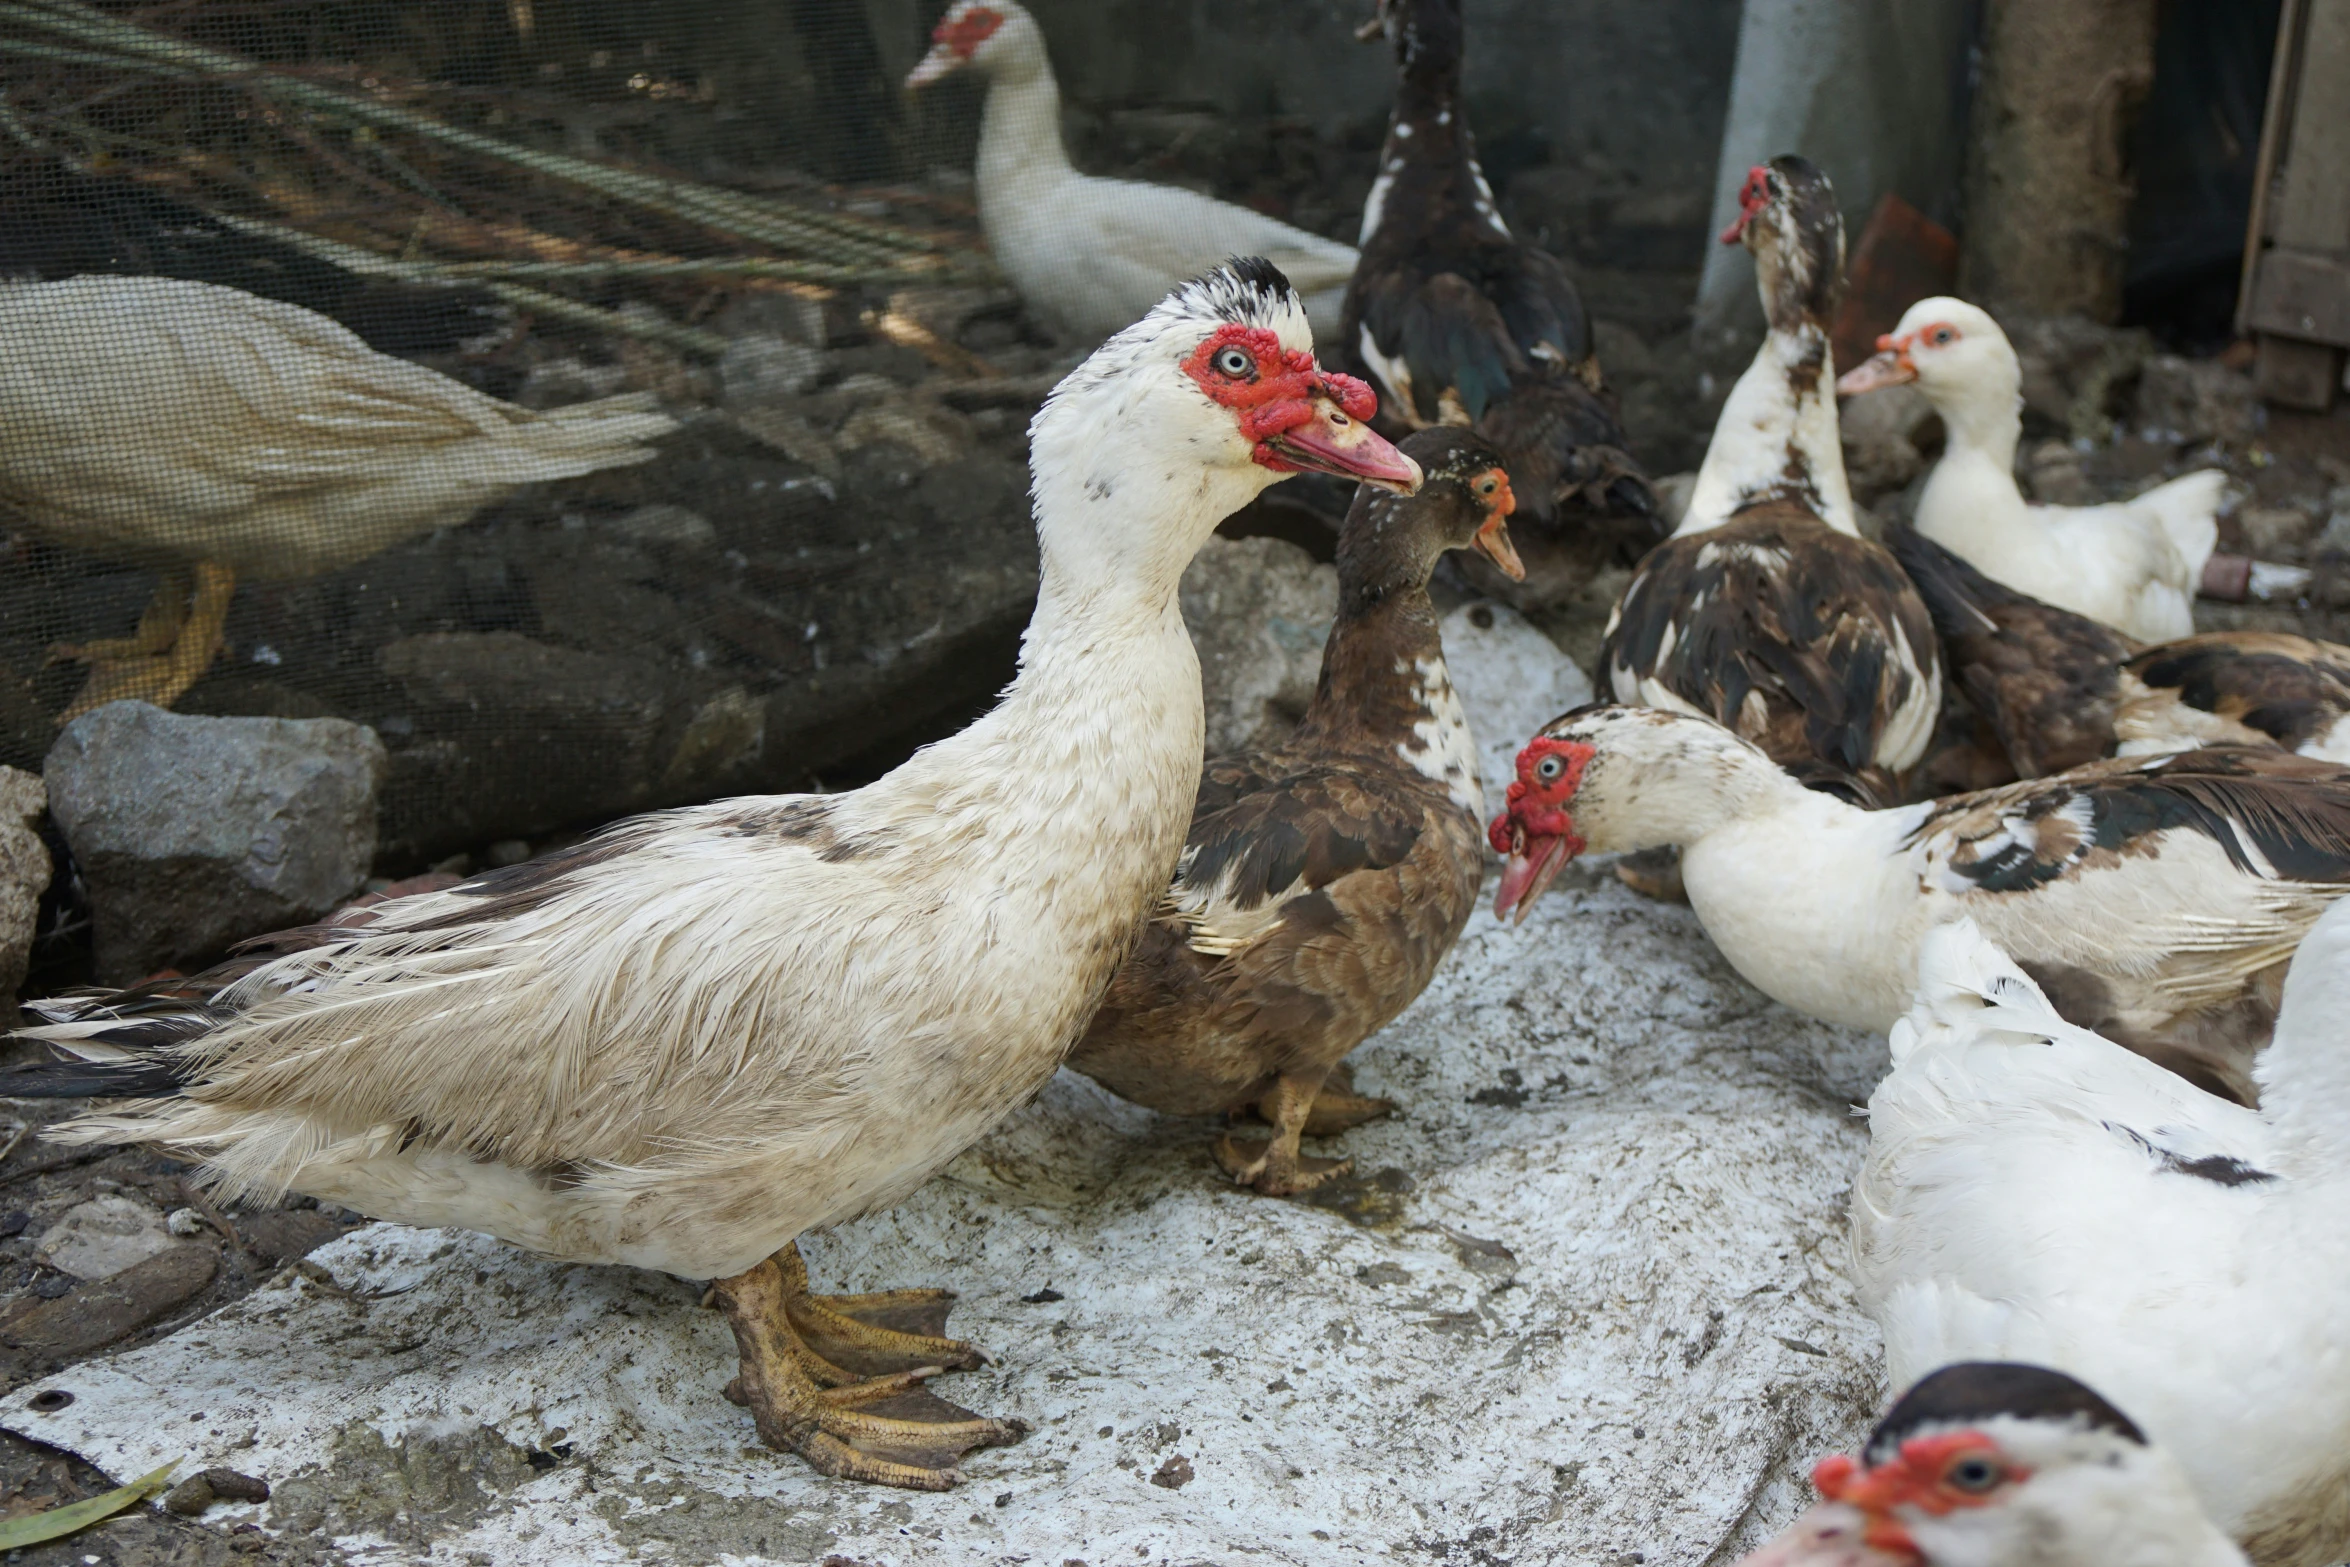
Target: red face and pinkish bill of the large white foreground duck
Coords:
[[1296, 415]]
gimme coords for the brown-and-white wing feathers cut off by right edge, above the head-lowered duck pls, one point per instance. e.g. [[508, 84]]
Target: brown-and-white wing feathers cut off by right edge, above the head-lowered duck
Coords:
[[2238, 690]]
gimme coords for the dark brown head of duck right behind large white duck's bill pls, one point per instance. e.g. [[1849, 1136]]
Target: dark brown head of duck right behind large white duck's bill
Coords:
[[1463, 504]]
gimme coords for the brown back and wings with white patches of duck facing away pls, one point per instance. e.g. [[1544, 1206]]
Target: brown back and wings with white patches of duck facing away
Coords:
[[1794, 635]]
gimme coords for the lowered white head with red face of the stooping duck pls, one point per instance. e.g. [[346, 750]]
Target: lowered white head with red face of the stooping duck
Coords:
[[1613, 779]]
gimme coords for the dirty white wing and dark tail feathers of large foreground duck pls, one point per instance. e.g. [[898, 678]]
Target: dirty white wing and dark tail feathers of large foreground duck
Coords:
[[509, 1016]]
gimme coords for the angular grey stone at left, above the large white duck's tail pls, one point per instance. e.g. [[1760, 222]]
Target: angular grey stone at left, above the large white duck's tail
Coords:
[[196, 833]]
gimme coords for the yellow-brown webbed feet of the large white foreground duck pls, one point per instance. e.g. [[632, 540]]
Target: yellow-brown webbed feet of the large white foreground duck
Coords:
[[812, 1404]]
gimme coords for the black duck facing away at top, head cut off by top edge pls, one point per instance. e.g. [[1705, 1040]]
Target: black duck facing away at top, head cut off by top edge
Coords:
[[1456, 321]]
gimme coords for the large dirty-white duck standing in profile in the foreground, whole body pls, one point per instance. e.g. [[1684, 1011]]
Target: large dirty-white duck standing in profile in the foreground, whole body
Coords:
[[704, 1033]]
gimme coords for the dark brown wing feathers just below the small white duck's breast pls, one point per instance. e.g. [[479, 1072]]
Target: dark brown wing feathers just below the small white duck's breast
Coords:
[[2046, 678]]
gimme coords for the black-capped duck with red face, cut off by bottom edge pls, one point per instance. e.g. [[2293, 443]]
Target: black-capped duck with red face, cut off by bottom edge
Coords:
[[2003, 1465]]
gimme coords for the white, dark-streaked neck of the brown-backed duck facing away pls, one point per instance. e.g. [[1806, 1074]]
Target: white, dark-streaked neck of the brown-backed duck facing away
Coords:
[[1778, 438]]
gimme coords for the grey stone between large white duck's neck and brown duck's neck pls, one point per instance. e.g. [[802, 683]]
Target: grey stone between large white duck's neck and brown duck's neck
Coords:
[[1258, 612]]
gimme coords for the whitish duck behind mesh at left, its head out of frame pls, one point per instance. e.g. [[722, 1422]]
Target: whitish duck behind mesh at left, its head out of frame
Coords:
[[215, 436]]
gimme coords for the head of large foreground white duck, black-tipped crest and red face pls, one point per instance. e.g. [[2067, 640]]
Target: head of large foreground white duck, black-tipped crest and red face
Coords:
[[1193, 412]]
